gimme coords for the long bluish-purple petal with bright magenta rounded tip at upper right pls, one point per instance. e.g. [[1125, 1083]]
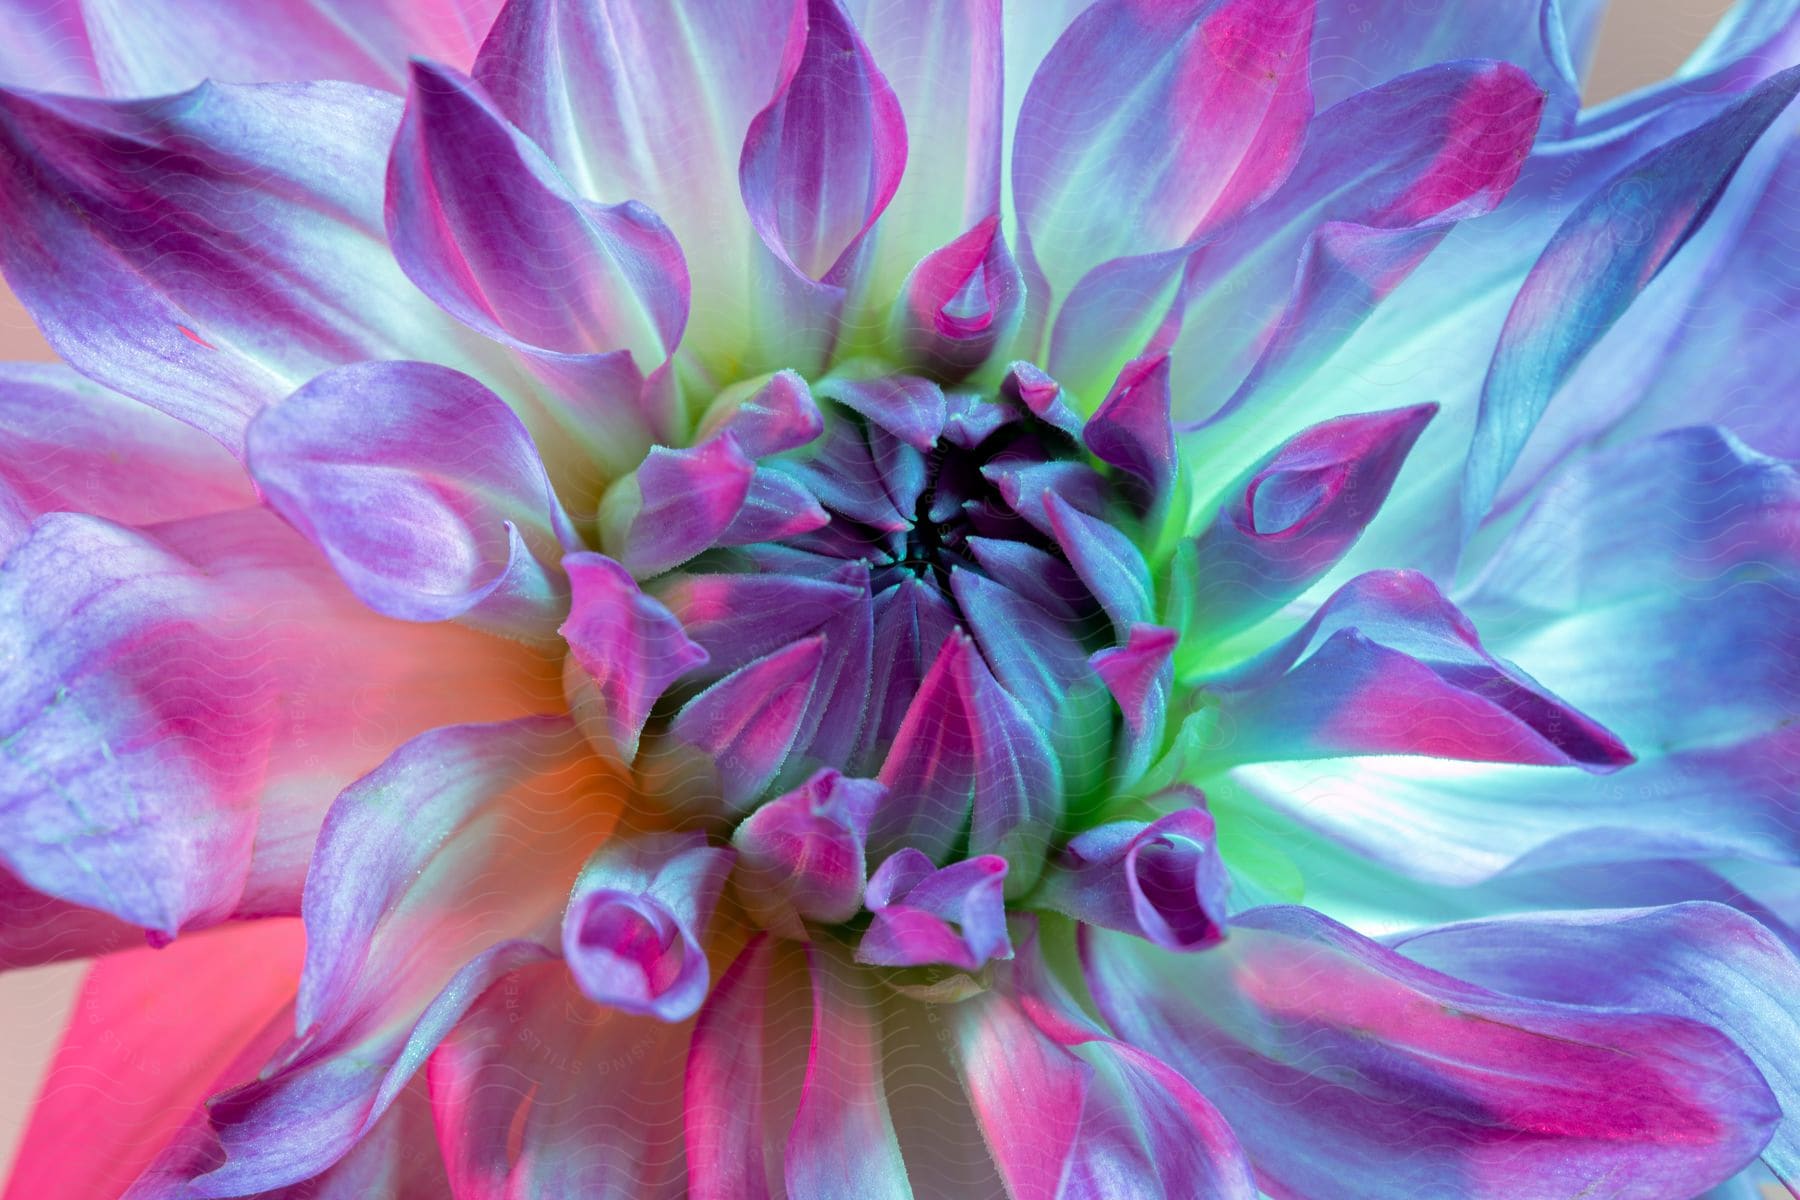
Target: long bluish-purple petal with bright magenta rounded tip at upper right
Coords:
[[1381, 179]]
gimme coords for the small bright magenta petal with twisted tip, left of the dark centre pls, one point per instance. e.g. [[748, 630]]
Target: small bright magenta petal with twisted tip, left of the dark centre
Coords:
[[629, 645]]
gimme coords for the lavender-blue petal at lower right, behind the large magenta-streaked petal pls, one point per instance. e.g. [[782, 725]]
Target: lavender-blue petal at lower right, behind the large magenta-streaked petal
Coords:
[[1704, 962]]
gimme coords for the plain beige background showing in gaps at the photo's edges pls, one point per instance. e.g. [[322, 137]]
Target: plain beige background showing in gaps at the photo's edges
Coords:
[[1641, 42]]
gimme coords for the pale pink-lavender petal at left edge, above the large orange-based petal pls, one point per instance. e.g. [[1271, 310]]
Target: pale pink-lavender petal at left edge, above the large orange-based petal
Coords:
[[66, 445]]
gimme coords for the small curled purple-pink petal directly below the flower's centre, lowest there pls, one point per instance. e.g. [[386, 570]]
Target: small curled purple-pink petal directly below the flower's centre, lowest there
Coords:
[[931, 915]]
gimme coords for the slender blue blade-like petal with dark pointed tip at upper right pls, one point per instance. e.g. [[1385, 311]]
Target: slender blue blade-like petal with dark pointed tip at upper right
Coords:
[[1592, 271]]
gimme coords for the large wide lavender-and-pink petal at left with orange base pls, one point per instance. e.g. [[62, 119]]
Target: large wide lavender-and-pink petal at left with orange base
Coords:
[[184, 704]]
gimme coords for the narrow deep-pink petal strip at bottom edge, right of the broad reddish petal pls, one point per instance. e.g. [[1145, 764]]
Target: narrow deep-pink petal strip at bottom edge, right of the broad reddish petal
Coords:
[[724, 1084]]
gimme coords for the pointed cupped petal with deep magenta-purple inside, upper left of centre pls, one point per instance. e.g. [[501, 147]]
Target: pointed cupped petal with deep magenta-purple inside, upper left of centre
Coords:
[[485, 224]]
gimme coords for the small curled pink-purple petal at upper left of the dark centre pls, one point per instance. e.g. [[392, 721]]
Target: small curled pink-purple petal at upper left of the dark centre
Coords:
[[676, 505]]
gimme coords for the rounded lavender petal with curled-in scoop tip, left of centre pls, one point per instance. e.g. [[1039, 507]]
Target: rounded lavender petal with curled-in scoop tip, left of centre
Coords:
[[424, 490]]
